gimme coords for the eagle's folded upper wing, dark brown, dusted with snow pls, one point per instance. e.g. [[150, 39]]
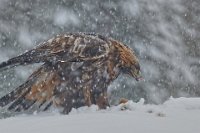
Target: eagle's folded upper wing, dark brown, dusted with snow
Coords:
[[64, 48]]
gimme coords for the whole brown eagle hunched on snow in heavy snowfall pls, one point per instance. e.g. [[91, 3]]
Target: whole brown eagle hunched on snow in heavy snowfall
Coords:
[[76, 70]]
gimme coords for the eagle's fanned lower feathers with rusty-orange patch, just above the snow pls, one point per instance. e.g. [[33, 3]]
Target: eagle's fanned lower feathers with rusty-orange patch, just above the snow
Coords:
[[38, 90]]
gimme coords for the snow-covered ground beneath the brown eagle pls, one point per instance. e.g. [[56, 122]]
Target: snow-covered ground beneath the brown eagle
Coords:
[[174, 116]]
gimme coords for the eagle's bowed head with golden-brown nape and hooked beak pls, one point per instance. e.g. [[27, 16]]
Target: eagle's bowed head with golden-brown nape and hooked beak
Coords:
[[129, 63]]
